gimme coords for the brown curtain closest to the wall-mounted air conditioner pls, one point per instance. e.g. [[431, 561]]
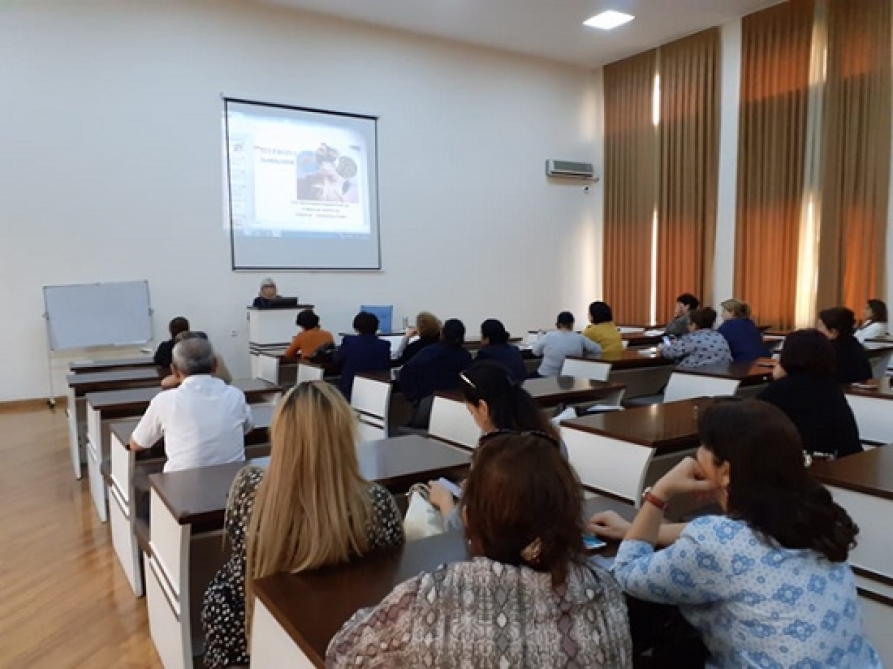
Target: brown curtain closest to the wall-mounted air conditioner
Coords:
[[629, 186]]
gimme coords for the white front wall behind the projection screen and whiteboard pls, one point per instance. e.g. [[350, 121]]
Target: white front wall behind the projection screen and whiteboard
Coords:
[[111, 167]]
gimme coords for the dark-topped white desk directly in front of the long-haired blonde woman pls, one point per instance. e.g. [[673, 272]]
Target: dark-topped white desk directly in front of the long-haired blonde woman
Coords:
[[187, 512]]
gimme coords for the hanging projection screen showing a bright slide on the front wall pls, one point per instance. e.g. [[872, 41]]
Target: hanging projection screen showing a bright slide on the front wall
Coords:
[[302, 188]]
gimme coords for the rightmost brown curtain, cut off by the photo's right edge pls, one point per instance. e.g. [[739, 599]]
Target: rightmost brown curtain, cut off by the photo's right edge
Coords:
[[855, 154]]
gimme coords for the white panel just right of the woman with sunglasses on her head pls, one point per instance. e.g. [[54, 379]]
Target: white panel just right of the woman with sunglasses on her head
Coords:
[[608, 465]]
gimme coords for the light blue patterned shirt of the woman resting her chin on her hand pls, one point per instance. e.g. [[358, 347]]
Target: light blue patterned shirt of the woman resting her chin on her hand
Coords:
[[755, 605]]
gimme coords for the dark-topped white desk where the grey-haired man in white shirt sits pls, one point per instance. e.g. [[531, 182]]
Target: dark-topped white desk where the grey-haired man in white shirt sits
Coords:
[[124, 507]]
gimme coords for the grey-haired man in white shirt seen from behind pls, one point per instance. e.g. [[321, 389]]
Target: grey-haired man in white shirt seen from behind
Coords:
[[203, 421]]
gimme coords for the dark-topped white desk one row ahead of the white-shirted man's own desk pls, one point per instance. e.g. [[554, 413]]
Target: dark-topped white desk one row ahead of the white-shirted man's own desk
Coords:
[[102, 407]]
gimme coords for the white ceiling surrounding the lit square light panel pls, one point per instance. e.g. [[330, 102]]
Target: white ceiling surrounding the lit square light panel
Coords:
[[547, 28]]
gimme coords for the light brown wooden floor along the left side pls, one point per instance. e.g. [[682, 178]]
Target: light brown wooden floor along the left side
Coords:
[[64, 601]]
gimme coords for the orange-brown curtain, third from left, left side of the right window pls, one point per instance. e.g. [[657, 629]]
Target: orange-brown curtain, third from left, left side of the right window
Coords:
[[775, 54]]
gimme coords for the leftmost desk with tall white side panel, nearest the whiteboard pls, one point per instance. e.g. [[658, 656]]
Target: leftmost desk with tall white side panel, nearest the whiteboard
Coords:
[[94, 381]]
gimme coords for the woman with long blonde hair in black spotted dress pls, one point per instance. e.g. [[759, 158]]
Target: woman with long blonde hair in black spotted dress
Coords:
[[310, 508]]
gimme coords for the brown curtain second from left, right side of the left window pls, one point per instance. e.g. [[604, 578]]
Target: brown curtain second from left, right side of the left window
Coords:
[[688, 169]]
